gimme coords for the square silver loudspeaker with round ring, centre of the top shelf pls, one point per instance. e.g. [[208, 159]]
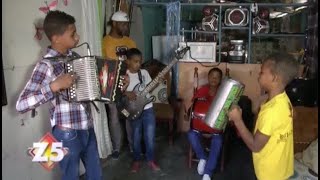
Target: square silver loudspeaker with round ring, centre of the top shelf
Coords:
[[236, 17]]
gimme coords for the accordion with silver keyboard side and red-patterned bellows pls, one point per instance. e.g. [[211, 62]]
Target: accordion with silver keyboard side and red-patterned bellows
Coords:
[[98, 79]]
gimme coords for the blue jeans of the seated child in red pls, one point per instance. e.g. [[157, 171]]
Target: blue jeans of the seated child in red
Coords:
[[215, 147]]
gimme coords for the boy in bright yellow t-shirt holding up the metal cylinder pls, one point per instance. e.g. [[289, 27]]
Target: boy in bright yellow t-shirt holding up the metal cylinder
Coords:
[[272, 140]]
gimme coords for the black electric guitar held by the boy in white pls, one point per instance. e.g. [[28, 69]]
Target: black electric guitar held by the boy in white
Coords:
[[133, 109]]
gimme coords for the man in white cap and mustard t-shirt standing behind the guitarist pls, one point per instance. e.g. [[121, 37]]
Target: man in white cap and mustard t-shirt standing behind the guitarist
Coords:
[[114, 46]]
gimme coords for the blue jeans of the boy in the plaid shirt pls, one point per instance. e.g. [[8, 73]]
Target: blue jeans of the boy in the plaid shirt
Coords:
[[82, 145]]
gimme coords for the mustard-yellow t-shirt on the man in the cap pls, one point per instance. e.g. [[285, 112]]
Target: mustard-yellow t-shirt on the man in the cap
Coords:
[[111, 45]]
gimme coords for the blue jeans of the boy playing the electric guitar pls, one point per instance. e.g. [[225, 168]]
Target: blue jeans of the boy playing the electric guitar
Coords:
[[146, 123]]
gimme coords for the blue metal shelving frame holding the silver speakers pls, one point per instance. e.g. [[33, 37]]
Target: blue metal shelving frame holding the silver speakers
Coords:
[[221, 28]]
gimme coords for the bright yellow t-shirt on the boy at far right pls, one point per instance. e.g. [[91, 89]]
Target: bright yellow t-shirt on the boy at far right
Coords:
[[275, 160]]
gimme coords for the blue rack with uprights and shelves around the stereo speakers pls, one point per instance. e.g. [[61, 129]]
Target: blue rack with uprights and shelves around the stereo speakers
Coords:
[[221, 27]]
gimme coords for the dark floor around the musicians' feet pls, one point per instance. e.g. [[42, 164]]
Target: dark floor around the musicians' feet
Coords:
[[173, 162]]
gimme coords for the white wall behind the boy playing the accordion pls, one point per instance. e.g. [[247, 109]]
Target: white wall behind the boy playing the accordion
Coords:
[[20, 52]]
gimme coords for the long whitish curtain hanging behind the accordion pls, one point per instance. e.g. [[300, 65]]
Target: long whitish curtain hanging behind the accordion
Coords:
[[93, 16]]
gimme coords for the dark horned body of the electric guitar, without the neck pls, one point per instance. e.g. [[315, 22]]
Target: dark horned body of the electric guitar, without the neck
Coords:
[[134, 108]]
